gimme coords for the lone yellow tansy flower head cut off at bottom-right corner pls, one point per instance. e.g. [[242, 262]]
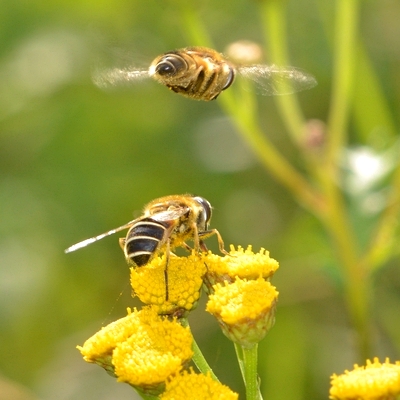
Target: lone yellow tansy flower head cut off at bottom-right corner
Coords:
[[375, 381]]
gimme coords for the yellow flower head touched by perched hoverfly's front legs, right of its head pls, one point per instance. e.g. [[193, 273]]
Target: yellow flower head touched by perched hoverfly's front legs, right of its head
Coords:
[[242, 263]]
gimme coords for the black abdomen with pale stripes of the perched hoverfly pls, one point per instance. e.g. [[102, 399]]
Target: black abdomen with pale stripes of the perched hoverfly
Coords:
[[144, 240]]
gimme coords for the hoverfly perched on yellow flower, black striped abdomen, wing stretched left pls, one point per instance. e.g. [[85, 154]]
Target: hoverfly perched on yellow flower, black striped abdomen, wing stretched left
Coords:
[[167, 222]]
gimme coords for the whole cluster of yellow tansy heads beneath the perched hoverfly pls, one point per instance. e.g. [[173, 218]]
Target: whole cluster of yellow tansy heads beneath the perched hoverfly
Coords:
[[150, 349]]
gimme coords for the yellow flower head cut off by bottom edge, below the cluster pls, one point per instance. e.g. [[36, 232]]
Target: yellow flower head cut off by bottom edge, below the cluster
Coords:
[[196, 387]]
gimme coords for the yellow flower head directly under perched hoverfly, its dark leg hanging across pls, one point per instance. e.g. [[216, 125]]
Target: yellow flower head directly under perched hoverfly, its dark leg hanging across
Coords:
[[185, 279]]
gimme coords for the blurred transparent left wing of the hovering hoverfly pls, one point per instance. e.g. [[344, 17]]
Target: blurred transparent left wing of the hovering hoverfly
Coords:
[[106, 78]]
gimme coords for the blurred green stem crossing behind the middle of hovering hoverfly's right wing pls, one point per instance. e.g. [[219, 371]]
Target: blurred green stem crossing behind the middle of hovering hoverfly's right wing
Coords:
[[274, 23]]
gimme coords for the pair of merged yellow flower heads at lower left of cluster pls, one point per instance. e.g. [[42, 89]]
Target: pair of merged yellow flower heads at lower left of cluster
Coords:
[[145, 348]]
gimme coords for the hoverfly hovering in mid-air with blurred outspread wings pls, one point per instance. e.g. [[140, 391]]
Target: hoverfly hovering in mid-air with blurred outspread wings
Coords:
[[201, 73]]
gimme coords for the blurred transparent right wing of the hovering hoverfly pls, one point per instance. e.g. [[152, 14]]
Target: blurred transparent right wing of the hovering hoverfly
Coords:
[[273, 80]]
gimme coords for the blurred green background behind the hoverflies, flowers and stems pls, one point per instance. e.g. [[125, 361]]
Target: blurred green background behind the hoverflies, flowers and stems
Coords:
[[76, 161]]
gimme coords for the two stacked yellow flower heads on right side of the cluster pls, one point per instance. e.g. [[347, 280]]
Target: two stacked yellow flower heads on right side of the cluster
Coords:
[[242, 299]]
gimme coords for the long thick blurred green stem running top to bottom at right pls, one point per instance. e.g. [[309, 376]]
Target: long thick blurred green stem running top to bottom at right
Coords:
[[337, 221]]
